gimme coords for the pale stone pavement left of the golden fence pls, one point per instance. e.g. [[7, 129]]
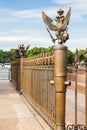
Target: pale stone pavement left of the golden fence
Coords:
[[15, 113]]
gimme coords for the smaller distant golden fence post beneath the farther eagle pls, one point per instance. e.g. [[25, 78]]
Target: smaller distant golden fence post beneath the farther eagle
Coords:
[[21, 74]]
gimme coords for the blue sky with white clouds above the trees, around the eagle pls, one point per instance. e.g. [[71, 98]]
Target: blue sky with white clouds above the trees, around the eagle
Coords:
[[21, 23]]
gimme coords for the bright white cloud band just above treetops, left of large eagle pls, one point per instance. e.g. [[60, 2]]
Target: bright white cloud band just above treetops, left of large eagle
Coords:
[[6, 43]]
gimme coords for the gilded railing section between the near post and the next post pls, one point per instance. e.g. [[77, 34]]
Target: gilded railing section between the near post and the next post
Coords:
[[39, 71]]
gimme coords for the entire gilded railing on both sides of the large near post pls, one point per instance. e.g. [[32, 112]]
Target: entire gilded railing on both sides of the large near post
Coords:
[[33, 75]]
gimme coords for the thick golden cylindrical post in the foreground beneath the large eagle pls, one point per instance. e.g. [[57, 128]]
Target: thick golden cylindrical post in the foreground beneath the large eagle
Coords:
[[60, 64]]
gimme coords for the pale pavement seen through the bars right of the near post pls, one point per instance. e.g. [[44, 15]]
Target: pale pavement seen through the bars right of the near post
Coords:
[[70, 107]]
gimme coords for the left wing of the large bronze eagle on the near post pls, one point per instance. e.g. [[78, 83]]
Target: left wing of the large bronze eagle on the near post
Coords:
[[48, 21]]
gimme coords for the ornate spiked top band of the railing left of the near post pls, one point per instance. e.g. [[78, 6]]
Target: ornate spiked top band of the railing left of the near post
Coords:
[[41, 61]]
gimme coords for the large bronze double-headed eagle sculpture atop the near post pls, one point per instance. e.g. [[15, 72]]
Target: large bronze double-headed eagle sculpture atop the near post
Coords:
[[62, 25]]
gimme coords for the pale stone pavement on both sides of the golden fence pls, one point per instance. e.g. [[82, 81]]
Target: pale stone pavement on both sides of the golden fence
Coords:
[[17, 114]]
